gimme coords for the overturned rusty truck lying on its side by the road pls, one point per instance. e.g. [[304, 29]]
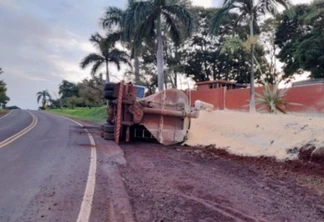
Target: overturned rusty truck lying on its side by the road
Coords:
[[164, 116]]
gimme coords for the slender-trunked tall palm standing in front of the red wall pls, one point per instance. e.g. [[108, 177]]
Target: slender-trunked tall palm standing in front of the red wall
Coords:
[[249, 11]]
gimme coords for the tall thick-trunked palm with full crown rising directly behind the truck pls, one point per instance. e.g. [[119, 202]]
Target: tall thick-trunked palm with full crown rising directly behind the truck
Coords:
[[148, 18]]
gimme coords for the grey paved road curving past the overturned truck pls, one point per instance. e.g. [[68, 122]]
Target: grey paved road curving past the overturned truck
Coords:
[[44, 175]]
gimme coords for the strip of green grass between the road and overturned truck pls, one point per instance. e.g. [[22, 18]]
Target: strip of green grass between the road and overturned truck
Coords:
[[93, 114]]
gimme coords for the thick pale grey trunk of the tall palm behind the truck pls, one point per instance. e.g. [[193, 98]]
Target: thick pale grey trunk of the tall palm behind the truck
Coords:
[[159, 56]]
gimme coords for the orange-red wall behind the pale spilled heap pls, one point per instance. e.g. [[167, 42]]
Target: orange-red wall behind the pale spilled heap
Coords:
[[310, 98]]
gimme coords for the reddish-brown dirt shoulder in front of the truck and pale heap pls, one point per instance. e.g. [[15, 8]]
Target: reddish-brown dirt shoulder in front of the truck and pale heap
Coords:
[[168, 184]]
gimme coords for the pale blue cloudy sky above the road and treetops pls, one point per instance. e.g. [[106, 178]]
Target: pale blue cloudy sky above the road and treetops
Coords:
[[42, 42]]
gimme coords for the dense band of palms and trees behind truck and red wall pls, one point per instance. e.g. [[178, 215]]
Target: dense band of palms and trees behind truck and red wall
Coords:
[[161, 43]]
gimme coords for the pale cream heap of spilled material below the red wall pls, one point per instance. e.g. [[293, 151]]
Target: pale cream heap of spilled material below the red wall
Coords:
[[280, 136]]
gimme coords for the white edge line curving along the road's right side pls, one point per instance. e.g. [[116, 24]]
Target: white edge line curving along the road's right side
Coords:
[[86, 205]]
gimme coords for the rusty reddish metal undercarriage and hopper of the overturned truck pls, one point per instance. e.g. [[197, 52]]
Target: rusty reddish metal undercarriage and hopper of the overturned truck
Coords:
[[166, 115]]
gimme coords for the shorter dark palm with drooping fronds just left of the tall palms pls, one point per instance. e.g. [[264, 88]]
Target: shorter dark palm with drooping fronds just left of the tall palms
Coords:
[[107, 54]]
